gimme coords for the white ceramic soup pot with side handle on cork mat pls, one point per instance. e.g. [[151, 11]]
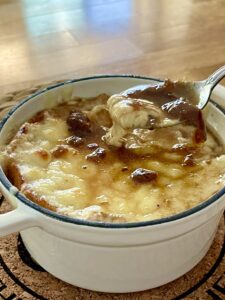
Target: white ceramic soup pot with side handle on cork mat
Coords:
[[101, 256]]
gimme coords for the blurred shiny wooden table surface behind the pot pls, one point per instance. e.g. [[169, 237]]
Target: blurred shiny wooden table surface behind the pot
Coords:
[[46, 40]]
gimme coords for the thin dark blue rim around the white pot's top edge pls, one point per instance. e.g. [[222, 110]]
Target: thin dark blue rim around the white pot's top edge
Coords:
[[6, 183]]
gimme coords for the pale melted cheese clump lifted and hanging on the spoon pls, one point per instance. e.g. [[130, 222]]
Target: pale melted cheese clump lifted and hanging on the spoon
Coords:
[[128, 115]]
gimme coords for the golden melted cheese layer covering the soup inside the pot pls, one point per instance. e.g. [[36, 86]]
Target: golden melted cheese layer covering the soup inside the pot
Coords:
[[59, 176]]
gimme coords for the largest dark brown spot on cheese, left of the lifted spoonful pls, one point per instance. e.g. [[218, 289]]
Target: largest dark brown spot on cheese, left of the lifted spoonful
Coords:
[[79, 123]]
